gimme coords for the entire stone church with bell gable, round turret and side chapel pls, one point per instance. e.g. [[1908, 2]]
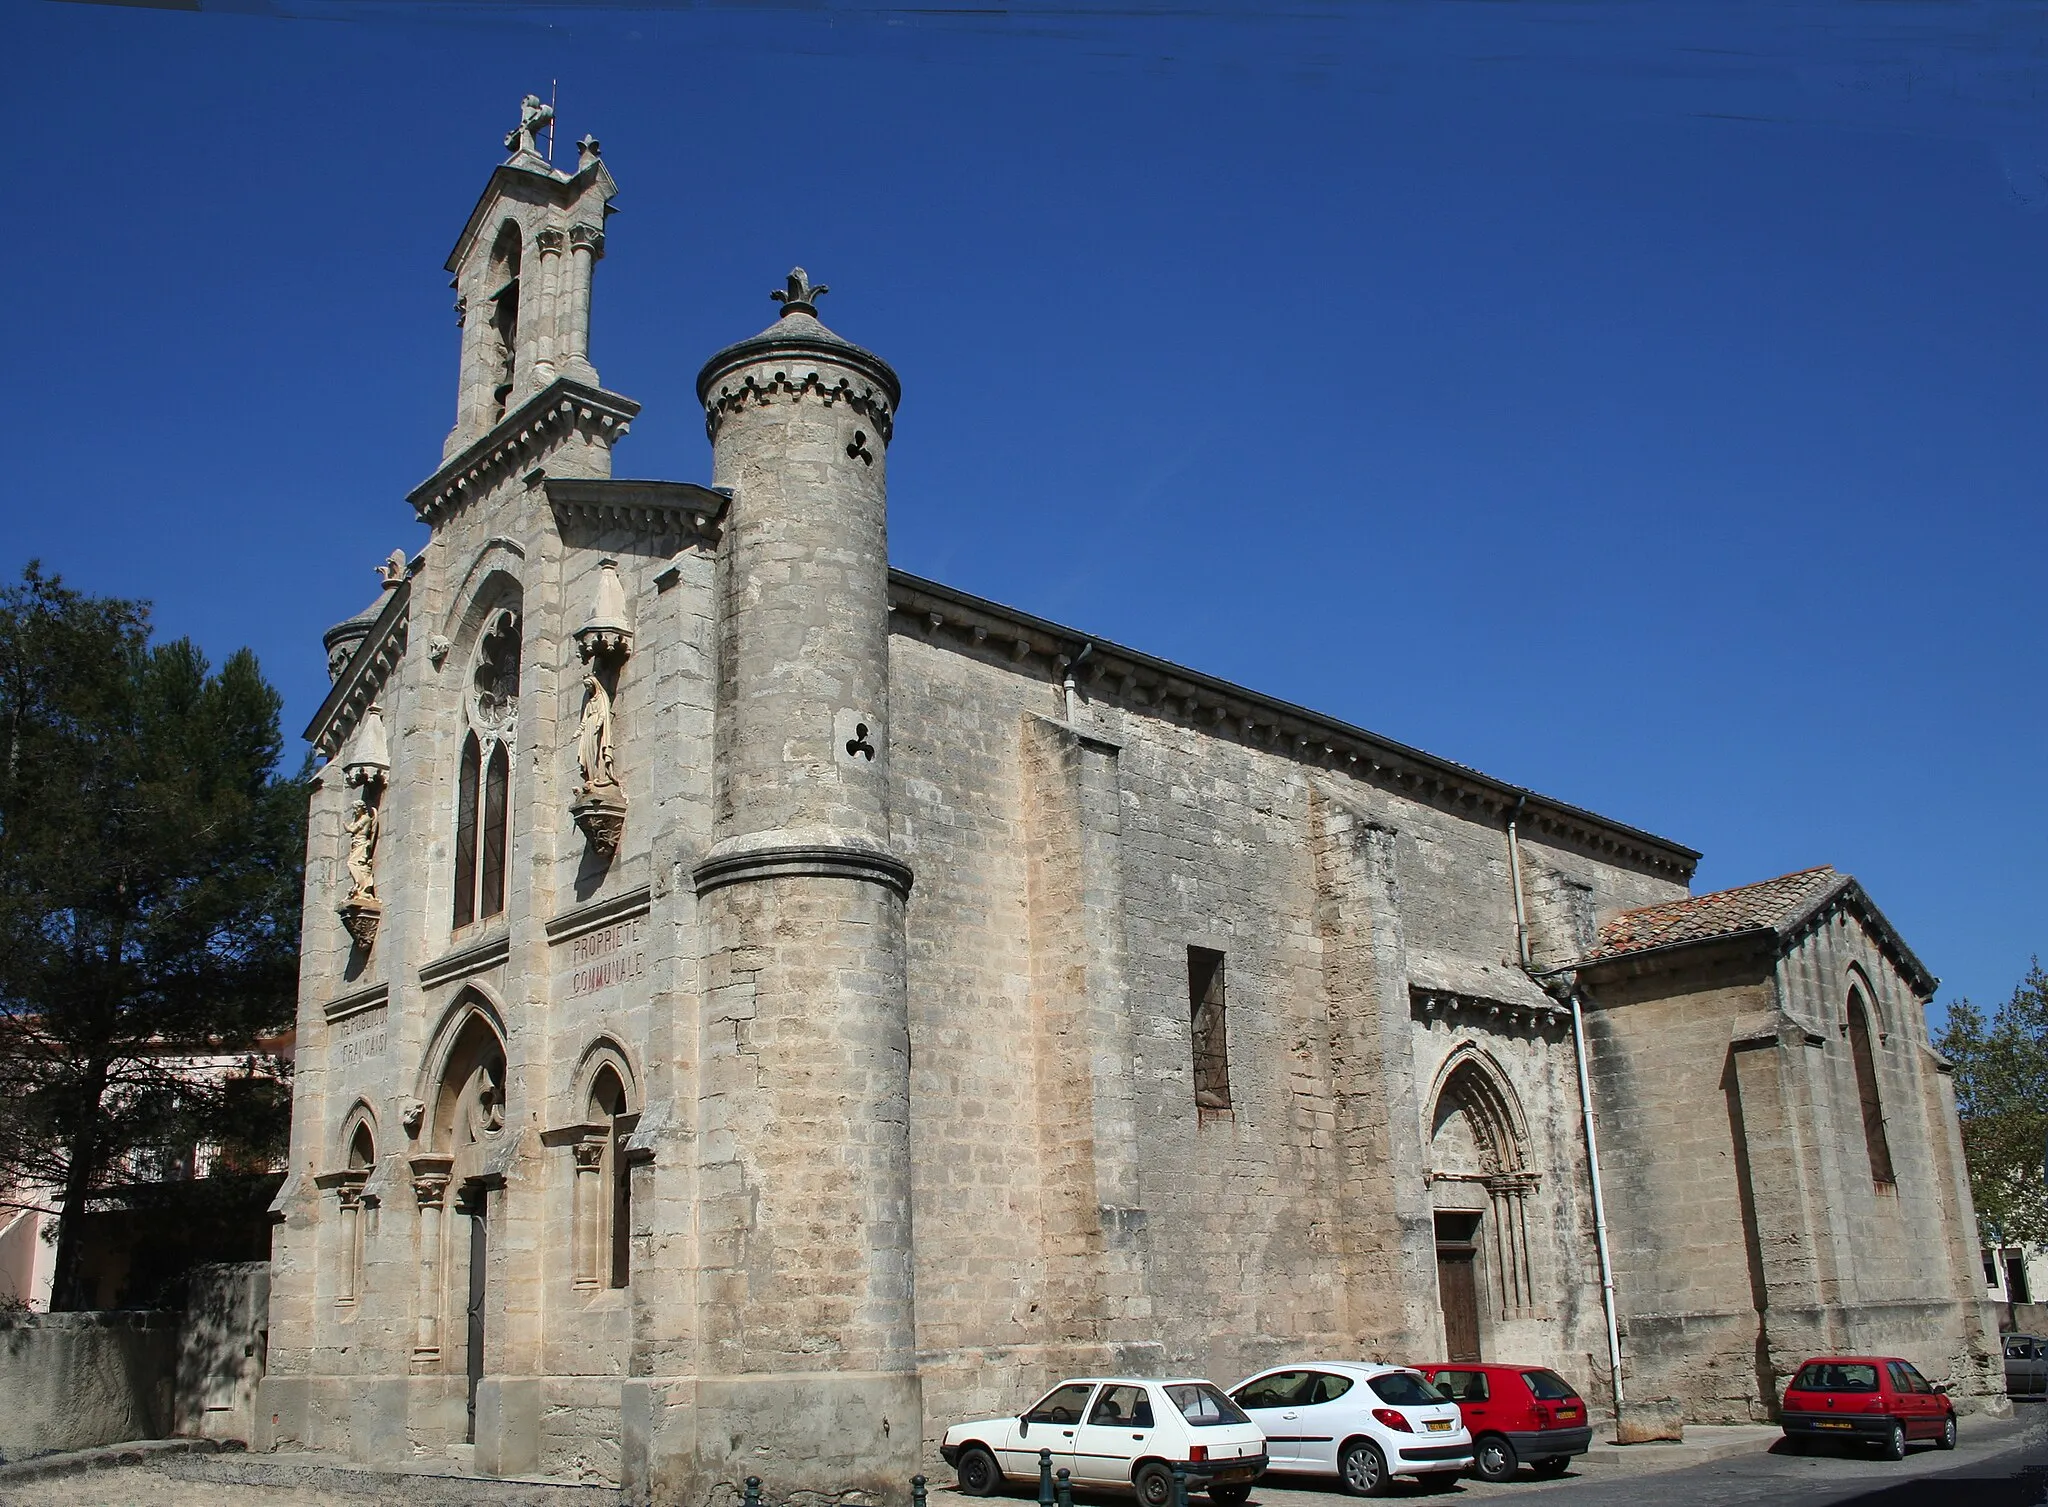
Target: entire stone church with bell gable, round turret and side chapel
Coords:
[[761, 1006]]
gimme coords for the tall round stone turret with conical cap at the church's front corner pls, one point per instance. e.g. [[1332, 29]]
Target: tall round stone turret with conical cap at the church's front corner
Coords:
[[806, 1309]]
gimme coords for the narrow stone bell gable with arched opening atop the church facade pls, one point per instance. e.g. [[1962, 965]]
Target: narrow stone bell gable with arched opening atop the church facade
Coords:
[[521, 275]]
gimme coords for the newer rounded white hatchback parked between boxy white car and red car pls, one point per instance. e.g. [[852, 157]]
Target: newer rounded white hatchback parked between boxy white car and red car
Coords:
[[1357, 1422]]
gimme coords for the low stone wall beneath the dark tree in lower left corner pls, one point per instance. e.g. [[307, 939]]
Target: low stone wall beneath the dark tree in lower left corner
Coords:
[[73, 1381]]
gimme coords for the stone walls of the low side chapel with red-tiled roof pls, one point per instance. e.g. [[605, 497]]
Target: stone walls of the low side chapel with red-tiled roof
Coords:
[[1750, 1230]]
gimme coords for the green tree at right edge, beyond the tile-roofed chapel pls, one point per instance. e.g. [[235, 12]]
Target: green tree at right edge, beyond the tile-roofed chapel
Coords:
[[2002, 1099]]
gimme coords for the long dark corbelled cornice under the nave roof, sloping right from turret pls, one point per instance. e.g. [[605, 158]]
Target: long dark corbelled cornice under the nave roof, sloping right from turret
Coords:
[[1140, 681]]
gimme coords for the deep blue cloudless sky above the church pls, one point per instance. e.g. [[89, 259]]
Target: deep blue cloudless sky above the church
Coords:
[[1639, 402]]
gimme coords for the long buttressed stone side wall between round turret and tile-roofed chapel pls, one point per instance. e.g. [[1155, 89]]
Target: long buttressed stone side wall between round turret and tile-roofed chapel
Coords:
[[1064, 871]]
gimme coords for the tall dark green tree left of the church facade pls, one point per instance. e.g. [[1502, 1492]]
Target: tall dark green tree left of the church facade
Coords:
[[151, 867]]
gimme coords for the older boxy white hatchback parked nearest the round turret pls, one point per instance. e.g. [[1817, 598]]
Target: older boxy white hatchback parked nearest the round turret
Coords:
[[1117, 1432]]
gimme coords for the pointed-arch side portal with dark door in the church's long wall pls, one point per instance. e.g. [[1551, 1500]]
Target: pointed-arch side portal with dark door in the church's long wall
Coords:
[[1480, 1187]]
